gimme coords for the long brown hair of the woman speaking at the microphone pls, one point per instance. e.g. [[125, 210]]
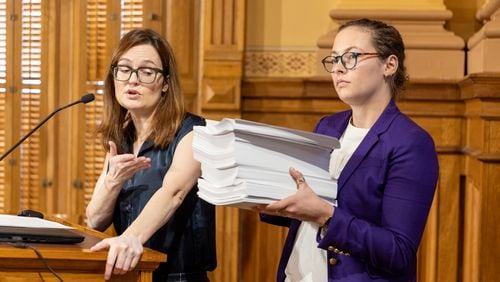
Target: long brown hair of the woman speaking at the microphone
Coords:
[[117, 124]]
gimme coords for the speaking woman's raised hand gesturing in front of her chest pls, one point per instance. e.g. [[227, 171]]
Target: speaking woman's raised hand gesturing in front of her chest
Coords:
[[122, 167]]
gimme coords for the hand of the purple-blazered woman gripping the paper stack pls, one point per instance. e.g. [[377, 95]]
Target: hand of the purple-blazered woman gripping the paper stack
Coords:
[[304, 205]]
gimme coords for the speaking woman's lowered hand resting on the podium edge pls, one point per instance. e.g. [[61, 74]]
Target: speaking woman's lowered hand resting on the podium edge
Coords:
[[124, 253]]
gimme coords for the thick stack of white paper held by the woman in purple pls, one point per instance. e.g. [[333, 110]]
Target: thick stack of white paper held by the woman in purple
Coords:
[[245, 163]]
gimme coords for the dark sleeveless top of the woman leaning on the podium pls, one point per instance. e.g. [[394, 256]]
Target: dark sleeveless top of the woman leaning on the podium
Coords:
[[188, 238]]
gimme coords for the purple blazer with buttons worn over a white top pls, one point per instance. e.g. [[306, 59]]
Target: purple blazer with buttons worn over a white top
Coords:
[[384, 195]]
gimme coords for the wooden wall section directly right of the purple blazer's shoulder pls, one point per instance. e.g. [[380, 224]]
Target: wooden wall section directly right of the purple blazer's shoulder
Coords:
[[437, 107]]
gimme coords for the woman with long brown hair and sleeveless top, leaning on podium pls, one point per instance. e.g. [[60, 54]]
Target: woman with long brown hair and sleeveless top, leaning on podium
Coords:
[[147, 188]]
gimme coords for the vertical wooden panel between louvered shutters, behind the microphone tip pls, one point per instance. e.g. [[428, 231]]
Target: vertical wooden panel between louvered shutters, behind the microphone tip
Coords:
[[70, 137]]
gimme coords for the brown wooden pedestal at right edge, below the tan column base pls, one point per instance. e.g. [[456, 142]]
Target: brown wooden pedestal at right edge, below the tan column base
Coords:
[[482, 170]]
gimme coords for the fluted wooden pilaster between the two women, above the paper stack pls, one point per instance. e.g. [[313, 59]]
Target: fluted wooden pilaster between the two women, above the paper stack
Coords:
[[222, 57]]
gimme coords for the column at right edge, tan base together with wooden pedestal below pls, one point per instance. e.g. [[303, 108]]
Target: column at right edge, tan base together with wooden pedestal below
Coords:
[[481, 234]]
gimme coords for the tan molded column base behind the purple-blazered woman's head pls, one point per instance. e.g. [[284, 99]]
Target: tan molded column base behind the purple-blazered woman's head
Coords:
[[431, 50]]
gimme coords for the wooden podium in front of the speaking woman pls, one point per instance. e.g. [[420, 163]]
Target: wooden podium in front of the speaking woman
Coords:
[[72, 262]]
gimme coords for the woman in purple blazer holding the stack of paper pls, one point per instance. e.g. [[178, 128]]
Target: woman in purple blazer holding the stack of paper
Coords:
[[386, 171]]
